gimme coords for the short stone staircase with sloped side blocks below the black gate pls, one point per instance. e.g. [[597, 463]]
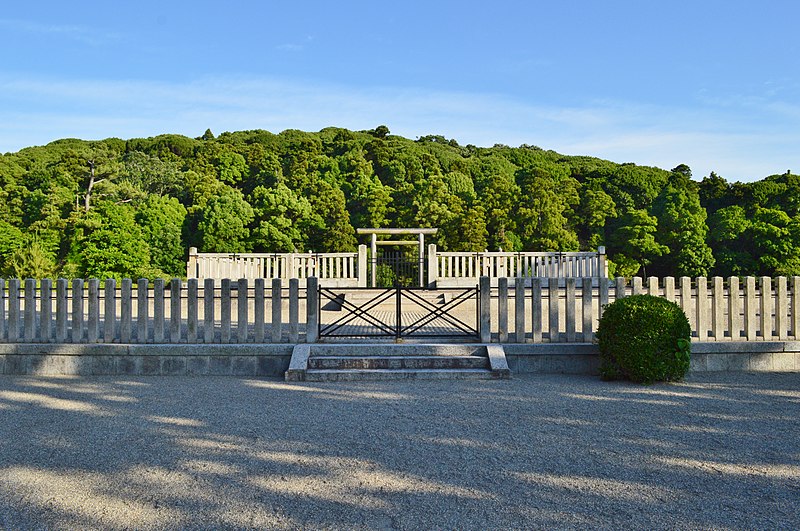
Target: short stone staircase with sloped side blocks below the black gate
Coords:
[[385, 361]]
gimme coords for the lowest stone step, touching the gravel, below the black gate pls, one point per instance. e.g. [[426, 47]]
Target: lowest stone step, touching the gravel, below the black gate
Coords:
[[329, 375]]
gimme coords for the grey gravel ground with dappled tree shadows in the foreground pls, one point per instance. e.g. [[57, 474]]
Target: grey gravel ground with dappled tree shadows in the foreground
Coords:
[[719, 451]]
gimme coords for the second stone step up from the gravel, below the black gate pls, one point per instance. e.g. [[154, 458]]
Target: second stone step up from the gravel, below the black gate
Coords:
[[398, 362]]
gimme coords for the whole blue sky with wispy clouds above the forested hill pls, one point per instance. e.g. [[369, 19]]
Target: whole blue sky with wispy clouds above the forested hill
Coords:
[[712, 84]]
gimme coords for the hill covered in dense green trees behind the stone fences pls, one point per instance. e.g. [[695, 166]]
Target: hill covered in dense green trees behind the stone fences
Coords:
[[117, 208]]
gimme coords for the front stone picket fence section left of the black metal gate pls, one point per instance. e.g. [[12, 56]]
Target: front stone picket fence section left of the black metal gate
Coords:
[[78, 311]]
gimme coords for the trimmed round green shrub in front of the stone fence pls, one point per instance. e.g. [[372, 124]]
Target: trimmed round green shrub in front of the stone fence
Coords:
[[645, 339]]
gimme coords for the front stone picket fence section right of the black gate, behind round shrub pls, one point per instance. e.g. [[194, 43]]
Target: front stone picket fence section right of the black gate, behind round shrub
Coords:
[[568, 310]]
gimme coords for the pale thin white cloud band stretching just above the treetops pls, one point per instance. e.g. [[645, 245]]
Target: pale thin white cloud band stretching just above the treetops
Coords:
[[36, 111]]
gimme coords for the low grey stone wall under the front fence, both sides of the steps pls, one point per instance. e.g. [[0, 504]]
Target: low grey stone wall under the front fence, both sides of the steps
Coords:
[[272, 360]]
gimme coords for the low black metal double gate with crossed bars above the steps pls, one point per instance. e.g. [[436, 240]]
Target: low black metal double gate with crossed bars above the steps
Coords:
[[399, 313]]
